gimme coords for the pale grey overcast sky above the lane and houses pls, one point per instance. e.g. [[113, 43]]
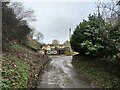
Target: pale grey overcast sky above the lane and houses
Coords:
[[55, 18]]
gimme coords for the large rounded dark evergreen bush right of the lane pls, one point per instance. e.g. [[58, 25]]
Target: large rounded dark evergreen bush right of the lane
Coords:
[[96, 37]]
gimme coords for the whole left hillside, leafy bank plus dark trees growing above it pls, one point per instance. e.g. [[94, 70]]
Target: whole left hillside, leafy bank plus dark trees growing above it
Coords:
[[21, 64]]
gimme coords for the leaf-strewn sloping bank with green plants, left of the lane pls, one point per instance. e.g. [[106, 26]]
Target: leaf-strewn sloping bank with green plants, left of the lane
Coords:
[[21, 67]]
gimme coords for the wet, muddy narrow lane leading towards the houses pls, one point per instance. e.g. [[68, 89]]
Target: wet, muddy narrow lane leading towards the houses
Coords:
[[61, 74]]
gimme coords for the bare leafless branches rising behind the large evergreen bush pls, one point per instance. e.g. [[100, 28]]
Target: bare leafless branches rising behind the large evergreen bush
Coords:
[[108, 10]]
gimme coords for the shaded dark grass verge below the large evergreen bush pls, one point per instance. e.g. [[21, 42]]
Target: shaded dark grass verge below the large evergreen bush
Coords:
[[103, 73]]
